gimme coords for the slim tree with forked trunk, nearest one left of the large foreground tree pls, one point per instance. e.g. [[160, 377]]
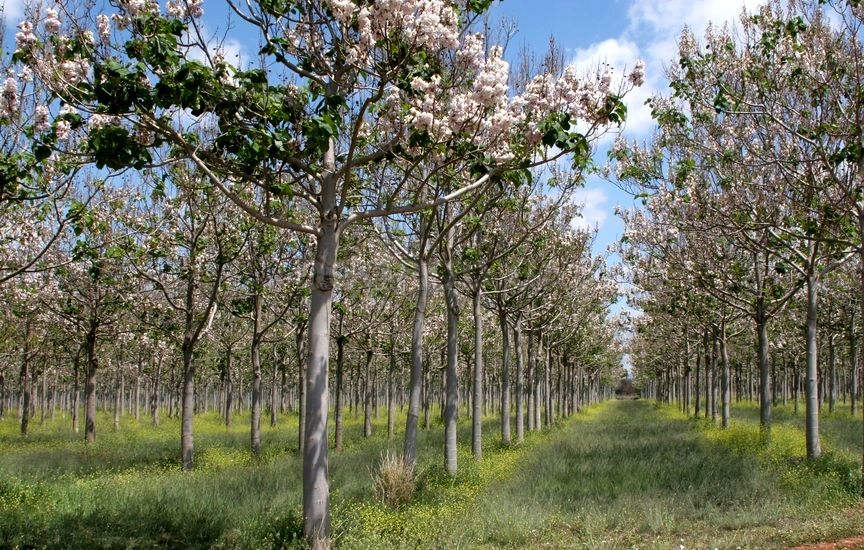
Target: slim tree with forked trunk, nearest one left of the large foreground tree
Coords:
[[184, 245]]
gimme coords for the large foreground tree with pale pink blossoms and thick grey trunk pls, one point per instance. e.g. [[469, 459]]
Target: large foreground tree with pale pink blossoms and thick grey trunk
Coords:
[[342, 87]]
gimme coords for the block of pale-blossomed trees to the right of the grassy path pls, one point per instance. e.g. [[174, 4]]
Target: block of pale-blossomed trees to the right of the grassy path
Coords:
[[747, 257]]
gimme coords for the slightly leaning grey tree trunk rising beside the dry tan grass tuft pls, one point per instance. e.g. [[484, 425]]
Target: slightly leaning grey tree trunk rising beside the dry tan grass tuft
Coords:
[[416, 380]]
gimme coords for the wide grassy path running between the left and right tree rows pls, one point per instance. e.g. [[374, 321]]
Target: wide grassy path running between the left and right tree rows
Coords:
[[629, 475]]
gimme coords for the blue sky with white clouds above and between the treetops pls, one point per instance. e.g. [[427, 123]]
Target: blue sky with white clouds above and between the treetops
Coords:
[[617, 32]]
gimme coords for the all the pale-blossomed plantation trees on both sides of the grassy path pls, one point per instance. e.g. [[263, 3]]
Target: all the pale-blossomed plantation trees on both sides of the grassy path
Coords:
[[378, 209]]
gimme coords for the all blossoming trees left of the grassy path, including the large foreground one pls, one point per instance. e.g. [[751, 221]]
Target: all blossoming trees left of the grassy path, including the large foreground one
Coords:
[[367, 172]]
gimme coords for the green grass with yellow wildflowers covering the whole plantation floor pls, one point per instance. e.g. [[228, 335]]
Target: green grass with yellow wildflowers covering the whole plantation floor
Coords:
[[621, 475]]
